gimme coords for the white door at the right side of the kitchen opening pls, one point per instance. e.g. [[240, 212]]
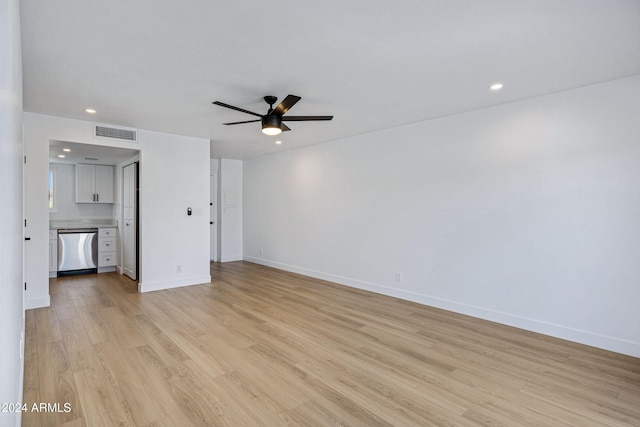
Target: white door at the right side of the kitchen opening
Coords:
[[129, 217]]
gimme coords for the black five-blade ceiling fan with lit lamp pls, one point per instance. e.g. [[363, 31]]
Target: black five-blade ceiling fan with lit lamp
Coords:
[[272, 121]]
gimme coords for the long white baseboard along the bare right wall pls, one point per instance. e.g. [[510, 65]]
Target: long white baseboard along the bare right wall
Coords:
[[580, 336]]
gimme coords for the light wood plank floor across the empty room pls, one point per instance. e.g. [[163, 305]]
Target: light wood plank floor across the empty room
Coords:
[[265, 347]]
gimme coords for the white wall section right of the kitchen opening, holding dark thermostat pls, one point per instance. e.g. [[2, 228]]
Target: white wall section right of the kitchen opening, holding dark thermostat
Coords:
[[174, 175]]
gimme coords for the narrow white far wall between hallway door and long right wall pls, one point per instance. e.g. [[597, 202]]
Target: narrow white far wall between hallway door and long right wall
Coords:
[[230, 210]]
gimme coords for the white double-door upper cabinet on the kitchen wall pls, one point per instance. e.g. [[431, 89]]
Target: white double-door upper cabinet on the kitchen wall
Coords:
[[94, 183]]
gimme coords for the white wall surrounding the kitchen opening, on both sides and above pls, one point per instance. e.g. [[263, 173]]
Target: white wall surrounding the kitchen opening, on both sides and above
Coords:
[[174, 174]]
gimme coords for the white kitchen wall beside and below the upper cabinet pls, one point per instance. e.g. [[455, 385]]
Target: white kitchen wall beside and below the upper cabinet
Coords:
[[65, 198]]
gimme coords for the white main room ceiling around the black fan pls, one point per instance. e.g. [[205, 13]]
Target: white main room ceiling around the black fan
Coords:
[[373, 64]]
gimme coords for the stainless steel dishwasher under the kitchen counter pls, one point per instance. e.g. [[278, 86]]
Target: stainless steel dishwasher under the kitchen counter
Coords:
[[77, 251]]
